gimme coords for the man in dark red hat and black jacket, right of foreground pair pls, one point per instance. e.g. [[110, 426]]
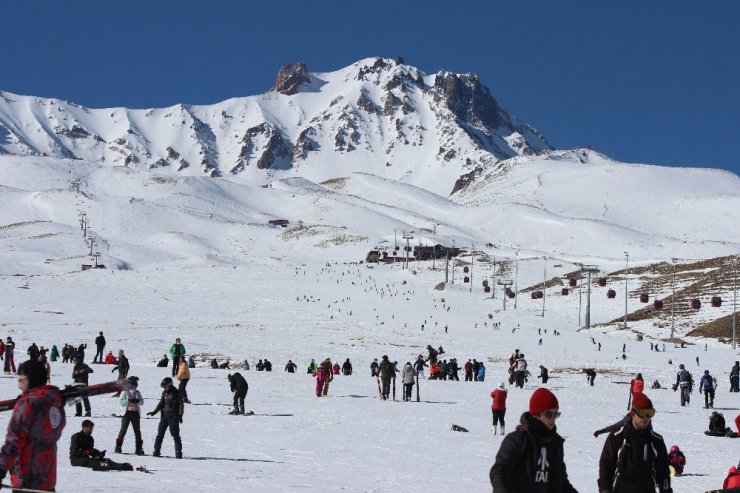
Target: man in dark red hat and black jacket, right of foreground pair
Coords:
[[634, 458]]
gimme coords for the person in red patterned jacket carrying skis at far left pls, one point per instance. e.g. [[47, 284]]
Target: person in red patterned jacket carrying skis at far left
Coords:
[[30, 449]]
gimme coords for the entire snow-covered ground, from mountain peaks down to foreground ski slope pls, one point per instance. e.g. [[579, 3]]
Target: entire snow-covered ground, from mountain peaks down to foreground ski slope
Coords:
[[189, 253]]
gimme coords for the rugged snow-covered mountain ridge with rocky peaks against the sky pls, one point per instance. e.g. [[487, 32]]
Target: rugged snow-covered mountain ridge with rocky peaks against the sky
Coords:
[[378, 115]]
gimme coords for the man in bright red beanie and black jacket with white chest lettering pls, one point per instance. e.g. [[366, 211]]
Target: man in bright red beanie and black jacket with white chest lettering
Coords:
[[530, 459]]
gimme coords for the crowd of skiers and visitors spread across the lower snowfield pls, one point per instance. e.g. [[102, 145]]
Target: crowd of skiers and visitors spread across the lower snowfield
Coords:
[[529, 459]]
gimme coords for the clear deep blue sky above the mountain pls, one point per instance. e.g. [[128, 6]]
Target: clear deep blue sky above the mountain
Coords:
[[644, 81]]
